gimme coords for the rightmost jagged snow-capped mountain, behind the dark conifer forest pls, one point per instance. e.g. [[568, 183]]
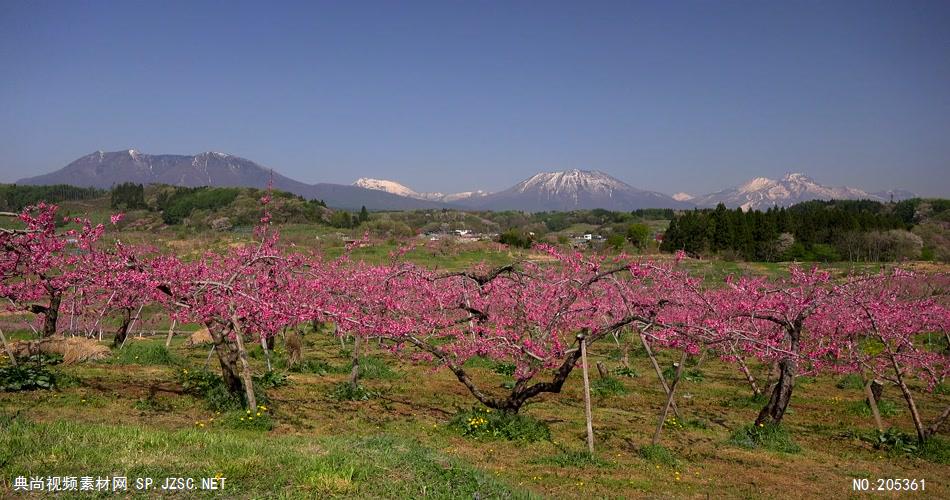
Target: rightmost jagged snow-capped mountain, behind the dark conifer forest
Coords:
[[761, 193]]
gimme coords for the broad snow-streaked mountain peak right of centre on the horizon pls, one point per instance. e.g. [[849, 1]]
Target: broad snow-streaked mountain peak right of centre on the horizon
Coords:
[[572, 190]]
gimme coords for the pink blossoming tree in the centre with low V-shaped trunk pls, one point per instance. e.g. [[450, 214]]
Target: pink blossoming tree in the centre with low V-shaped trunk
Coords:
[[528, 314]]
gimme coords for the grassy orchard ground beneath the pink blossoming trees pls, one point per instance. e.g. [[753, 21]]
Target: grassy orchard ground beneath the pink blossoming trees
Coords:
[[130, 416]]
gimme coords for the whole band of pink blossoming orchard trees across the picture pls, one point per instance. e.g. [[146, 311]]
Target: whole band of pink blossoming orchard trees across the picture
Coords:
[[530, 314]]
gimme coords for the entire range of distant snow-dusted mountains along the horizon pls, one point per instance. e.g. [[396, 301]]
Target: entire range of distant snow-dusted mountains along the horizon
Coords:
[[545, 191]]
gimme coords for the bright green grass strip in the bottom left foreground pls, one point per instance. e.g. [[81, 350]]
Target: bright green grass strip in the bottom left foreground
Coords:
[[274, 467]]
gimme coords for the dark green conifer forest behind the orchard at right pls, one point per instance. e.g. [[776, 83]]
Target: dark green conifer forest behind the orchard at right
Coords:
[[817, 230]]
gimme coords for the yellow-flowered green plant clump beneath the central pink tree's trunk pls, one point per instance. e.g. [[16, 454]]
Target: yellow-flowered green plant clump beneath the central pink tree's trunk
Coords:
[[492, 424]]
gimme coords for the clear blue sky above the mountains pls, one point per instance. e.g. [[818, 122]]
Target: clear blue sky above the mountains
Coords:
[[448, 95]]
